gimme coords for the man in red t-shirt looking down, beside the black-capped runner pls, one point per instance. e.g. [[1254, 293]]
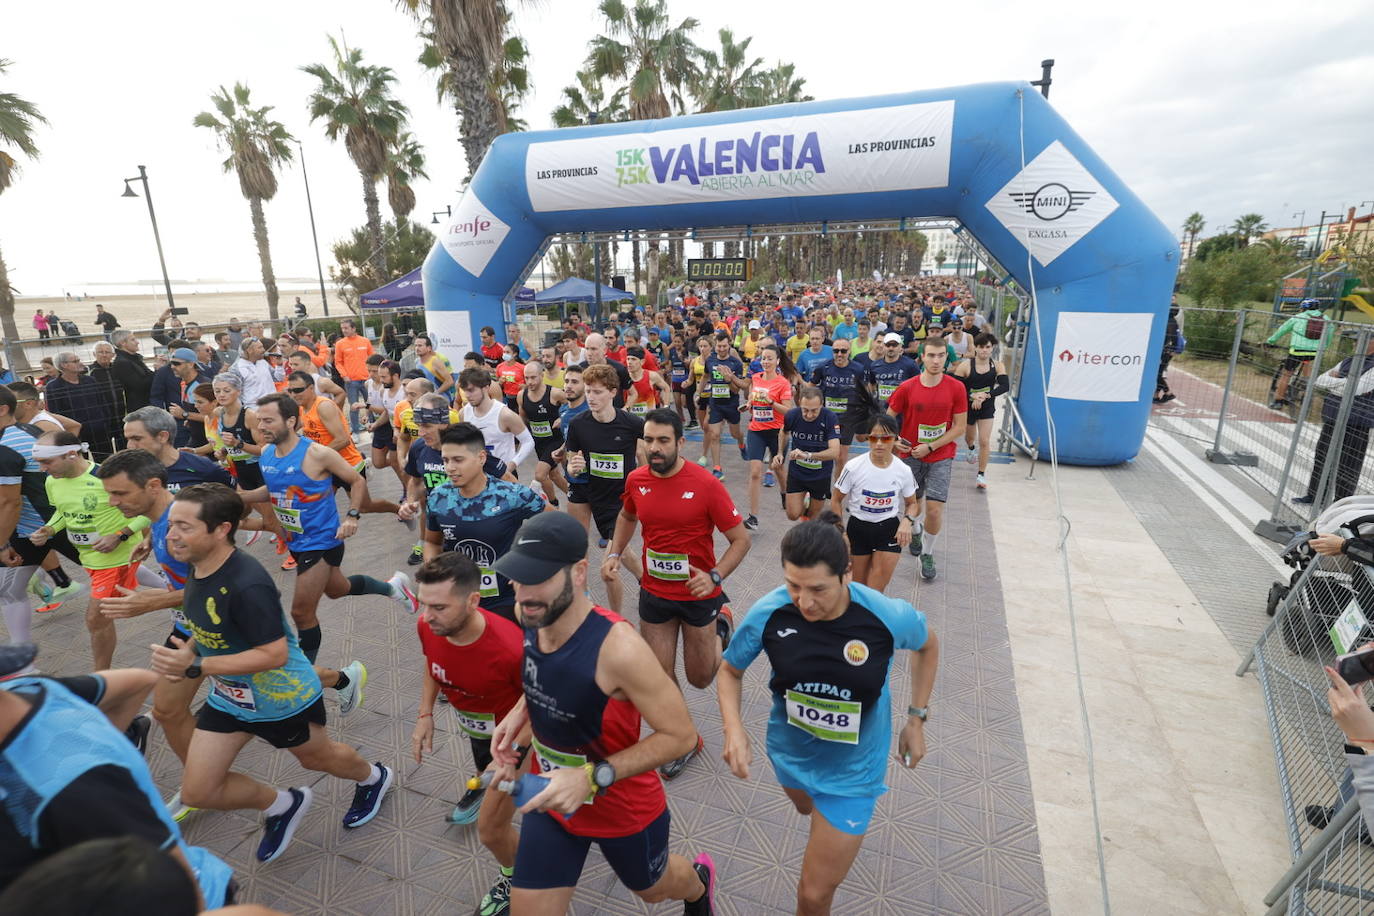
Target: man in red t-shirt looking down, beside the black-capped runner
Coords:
[[475, 657]]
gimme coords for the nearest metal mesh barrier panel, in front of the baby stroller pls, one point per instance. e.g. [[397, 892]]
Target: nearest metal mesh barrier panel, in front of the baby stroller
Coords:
[[1333, 870]]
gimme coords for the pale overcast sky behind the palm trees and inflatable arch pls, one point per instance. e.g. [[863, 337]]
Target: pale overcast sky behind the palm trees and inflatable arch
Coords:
[[1219, 108]]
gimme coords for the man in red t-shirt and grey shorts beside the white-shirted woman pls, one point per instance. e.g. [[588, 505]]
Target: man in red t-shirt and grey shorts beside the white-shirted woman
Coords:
[[934, 409]]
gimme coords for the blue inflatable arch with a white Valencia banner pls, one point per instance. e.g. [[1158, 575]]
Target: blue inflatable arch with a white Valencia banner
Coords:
[[997, 157]]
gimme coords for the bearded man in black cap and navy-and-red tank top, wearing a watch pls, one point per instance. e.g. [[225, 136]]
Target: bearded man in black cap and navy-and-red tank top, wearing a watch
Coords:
[[589, 680]]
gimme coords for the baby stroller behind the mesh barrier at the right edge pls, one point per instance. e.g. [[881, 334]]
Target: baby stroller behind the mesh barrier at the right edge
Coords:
[[1333, 583]]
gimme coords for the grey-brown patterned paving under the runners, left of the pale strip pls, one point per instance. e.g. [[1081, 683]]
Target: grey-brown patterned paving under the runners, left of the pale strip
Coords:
[[956, 836]]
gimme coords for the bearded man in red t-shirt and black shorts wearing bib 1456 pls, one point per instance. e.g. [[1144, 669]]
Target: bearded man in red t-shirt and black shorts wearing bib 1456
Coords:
[[681, 587]]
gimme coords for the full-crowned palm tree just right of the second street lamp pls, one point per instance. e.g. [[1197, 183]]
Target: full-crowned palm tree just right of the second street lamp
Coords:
[[355, 101]]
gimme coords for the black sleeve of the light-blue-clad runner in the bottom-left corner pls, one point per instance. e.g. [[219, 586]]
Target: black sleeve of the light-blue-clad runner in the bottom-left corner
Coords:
[[102, 803]]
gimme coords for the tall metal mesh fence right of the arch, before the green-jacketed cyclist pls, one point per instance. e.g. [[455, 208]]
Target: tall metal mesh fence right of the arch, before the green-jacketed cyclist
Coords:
[[1291, 425]]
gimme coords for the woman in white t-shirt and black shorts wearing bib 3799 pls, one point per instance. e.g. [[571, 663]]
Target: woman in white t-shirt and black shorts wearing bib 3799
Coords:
[[880, 495]]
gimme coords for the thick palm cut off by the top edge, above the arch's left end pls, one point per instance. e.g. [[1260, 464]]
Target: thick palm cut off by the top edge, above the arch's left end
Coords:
[[468, 41]]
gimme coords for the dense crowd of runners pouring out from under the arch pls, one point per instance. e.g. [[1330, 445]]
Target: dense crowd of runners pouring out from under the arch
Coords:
[[526, 479]]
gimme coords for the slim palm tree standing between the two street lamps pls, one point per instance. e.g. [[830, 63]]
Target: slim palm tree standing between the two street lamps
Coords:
[[258, 145]]
